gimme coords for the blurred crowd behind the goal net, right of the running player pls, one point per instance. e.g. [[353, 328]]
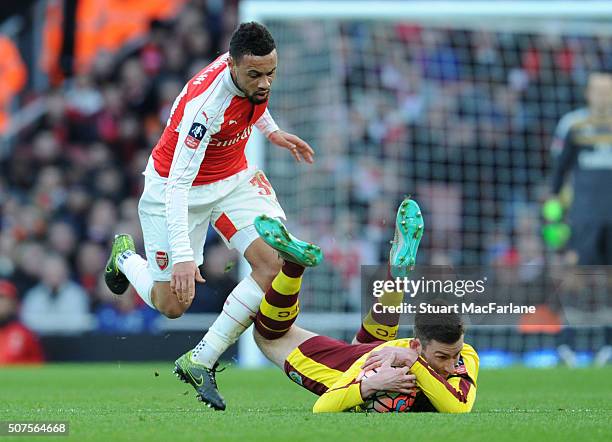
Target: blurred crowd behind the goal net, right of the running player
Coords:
[[462, 120]]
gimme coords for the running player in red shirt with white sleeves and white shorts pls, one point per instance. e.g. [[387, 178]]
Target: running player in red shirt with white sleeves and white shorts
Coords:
[[198, 174]]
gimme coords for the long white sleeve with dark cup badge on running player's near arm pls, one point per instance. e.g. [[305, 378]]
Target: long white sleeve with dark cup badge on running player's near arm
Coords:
[[191, 145]]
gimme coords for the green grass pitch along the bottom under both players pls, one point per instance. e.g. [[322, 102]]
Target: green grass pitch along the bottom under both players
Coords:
[[115, 402]]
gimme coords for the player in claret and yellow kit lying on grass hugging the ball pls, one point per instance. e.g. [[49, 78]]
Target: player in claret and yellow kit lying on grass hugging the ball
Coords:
[[436, 368]]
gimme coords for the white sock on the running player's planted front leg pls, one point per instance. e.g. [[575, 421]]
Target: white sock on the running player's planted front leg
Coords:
[[238, 314]]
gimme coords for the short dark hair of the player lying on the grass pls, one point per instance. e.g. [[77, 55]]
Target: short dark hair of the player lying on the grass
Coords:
[[442, 327]]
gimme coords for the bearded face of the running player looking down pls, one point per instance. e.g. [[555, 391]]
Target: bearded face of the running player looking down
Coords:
[[254, 75]]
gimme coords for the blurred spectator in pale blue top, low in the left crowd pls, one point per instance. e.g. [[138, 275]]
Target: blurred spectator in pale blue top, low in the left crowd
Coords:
[[56, 304]]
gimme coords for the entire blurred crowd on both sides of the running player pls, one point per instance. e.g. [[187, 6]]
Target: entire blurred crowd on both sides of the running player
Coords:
[[462, 120]]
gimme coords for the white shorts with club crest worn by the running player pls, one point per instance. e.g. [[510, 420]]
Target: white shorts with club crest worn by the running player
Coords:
[[231, 204]]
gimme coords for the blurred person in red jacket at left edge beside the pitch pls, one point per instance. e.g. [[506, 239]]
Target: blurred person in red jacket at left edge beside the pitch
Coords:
[[18, 345]]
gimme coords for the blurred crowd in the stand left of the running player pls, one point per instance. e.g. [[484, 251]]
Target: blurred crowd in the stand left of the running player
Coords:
[[73, 180]]
